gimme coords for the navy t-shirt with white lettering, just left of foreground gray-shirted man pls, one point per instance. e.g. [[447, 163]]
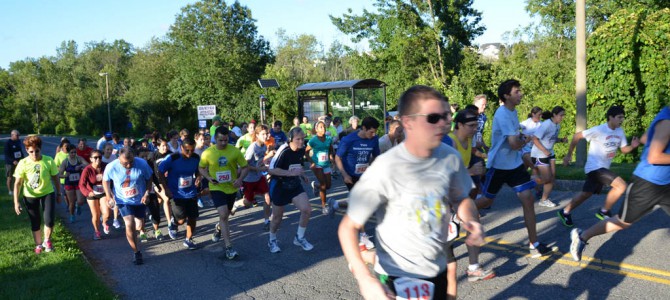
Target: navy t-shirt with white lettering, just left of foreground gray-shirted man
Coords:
[[356, 153]]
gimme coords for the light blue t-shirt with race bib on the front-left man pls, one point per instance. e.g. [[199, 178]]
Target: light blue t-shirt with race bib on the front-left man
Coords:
[[129, 185]]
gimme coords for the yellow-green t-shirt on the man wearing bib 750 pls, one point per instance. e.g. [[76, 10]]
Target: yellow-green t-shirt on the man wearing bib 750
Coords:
[[222, 166]]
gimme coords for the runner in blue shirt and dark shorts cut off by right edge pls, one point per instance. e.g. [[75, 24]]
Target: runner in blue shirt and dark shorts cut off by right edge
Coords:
[[650, 186]]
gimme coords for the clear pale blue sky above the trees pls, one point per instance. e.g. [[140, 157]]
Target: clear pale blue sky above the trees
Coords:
[[36, 28]]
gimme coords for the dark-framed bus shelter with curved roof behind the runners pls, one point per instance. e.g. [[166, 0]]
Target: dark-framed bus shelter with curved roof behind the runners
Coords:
[[358, 97]]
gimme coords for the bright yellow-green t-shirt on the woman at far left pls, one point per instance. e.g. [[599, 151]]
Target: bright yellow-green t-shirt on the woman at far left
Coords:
[[36, 176]]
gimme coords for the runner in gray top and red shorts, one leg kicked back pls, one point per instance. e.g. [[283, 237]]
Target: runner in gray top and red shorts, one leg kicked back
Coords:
[[255, 183]]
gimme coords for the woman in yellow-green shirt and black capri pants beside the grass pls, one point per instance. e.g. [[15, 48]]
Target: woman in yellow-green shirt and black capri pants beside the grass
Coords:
[[35, 178]]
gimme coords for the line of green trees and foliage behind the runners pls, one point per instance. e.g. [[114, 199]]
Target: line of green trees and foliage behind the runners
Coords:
[[213, 54]]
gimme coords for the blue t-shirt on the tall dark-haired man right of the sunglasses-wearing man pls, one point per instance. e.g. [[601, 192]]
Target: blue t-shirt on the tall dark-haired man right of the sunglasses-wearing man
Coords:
[[501, 155]]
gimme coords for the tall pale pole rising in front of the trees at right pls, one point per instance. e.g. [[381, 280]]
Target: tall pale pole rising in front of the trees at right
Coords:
[[580, 92]]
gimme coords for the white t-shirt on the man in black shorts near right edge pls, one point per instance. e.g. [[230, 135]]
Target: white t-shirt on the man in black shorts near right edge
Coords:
[[603, 143]]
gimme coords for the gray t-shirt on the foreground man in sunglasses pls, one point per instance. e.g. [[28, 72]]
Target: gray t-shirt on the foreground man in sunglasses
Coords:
[[410, 197]]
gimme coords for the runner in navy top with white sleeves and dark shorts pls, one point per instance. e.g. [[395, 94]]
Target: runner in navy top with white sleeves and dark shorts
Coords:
[[286, 172]]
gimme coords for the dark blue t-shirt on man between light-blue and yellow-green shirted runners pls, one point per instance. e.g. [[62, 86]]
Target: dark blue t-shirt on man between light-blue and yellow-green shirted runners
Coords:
[[181, 173]]
